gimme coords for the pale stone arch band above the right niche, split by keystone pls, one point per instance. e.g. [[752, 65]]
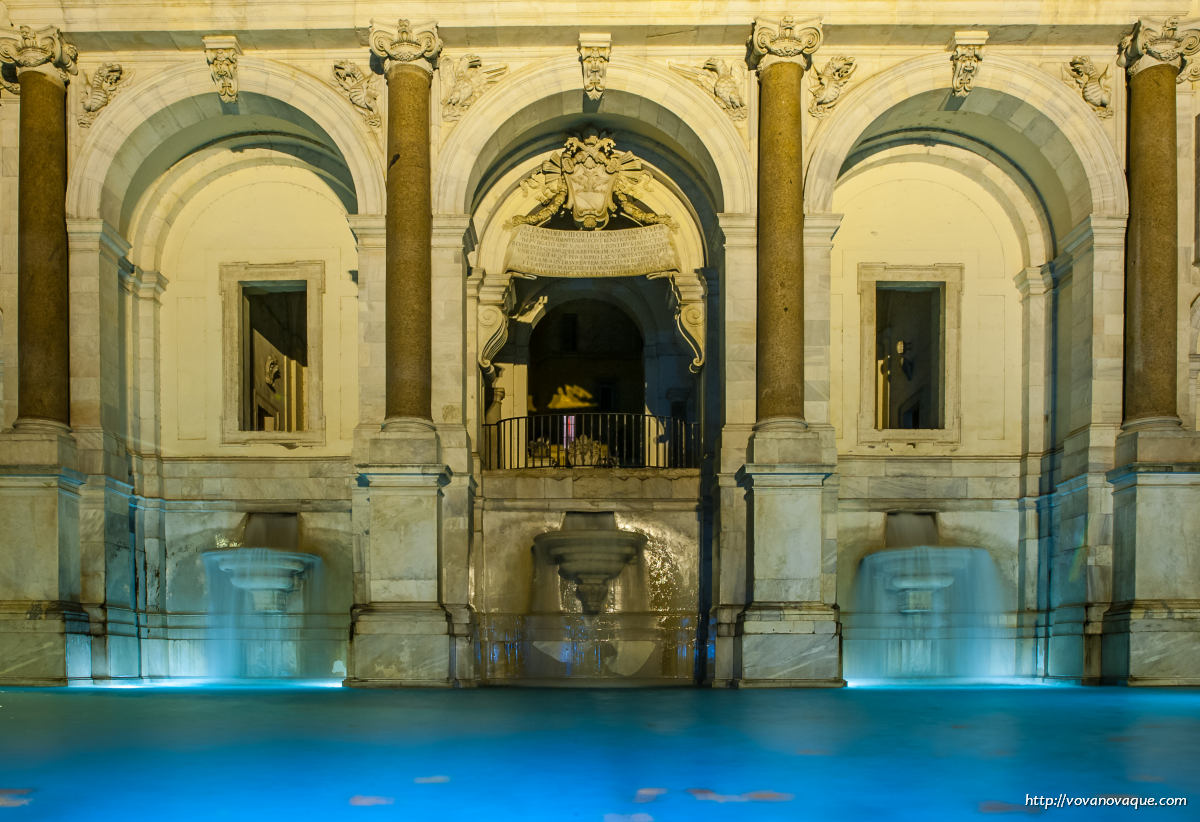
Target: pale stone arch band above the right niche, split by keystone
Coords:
[[837, 137]]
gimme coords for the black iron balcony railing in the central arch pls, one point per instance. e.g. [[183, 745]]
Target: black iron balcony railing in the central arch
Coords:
[[591, 441]]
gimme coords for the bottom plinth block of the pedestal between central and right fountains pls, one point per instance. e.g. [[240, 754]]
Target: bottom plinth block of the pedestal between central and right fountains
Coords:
[[789, 645]]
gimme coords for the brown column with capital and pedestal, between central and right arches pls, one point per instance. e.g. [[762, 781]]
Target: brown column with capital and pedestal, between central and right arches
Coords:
[[788, 634]]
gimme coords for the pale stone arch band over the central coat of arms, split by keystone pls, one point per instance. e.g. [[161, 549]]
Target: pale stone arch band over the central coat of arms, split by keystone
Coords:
[[701, 117]]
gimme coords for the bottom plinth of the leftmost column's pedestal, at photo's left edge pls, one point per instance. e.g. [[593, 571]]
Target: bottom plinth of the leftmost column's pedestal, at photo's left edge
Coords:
[[44, 644]]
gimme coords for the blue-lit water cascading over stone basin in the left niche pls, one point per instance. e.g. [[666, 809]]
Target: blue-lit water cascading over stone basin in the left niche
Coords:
[[259, 598]]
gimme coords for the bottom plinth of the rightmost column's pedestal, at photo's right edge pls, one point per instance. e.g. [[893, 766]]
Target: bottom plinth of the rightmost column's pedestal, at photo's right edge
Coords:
[[1153, 644]]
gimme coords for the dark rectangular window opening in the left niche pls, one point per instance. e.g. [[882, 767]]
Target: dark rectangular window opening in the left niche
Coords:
[[275, 356]]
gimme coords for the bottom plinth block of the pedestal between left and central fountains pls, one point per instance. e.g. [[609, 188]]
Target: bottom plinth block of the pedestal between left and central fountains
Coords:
[[400, 646]]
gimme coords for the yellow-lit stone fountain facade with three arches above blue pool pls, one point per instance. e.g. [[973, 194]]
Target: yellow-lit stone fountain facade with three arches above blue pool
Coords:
[[349, 283]]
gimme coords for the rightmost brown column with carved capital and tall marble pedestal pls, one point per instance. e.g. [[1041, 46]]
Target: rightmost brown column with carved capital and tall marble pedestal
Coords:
[[1151, 633]]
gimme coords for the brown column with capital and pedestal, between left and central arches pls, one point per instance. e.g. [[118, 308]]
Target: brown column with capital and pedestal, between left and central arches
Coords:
[[401, 633]]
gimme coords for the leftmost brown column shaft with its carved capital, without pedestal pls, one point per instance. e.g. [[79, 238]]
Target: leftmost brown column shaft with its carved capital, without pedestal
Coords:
[[44, 62]]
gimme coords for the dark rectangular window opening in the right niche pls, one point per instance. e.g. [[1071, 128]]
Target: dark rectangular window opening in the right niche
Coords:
[[909, 356]]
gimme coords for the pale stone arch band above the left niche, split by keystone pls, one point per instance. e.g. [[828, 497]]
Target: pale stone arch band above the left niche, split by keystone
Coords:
[[111, 158]]
